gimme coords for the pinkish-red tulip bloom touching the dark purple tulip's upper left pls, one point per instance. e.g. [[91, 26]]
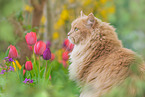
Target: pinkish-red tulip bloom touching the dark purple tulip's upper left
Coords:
[[39, 48]]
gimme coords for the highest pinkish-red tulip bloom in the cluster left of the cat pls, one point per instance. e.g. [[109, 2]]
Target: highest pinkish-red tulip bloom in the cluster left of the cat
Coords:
[[31, 38]]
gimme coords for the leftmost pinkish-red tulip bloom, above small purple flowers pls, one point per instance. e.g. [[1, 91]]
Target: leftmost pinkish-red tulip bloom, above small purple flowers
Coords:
[[12, 52]]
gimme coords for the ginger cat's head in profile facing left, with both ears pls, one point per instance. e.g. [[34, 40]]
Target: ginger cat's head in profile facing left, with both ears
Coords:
[[81, 28]]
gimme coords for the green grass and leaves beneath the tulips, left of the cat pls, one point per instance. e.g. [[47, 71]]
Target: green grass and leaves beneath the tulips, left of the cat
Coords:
[[11, 83]]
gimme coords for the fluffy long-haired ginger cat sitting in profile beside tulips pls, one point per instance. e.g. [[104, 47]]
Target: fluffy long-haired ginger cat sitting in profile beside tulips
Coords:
[[99, 62]]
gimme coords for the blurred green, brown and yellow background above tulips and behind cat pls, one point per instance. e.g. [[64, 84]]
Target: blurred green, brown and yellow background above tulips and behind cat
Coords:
[[51, 20]]
